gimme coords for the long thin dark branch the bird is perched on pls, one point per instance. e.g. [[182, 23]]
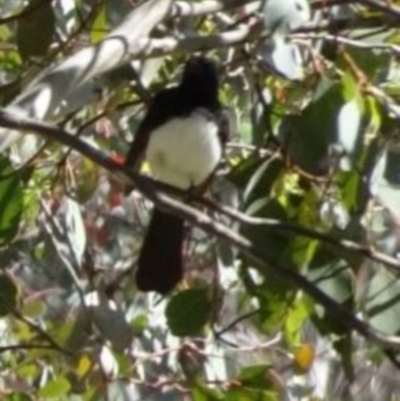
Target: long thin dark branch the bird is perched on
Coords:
[[152, 190]]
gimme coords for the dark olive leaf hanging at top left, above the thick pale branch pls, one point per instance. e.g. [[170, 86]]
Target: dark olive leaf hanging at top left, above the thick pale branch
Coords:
[[35, 29]]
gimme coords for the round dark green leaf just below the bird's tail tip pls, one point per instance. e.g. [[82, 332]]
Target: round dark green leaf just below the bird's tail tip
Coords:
[[188, 312]]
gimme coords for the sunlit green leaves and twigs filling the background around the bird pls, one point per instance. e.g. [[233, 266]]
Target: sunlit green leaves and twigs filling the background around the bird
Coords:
[[296, 299]]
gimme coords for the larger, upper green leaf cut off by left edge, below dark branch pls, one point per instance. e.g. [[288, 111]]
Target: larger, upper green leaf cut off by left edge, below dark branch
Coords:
[[11, 201]]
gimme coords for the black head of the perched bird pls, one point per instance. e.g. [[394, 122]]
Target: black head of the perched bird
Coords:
[[200, 80]]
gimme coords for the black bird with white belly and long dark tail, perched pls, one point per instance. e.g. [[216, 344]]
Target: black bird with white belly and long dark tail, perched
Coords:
[[182, 136]]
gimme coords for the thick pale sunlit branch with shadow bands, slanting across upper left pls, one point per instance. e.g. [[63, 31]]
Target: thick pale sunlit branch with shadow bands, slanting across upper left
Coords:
[[55, 84]]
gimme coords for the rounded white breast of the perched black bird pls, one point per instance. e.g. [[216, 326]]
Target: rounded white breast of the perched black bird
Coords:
[[185, 151]]
